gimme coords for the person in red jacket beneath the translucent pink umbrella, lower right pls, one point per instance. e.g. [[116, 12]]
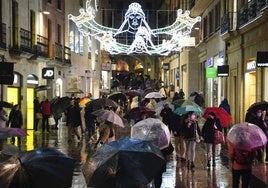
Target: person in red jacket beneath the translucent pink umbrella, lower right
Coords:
[[241, 168]]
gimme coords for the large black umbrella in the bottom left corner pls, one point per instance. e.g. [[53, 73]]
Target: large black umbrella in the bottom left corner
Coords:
[[44, 167]]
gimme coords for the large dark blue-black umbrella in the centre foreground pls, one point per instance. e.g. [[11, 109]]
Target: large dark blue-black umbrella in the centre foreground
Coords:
[[125, 162]]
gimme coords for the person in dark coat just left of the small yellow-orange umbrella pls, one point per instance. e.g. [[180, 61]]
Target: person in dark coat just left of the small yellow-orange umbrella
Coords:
[[73, 120]]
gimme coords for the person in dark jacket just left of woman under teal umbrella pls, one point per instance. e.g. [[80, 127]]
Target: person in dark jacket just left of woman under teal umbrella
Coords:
[[176, 128]]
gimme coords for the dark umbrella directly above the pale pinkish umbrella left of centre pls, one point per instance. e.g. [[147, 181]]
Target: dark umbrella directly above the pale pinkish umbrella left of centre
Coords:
[[101, 103]]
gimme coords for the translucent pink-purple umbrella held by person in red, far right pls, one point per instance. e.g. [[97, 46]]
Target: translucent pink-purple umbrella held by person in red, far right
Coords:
[[246, 136]]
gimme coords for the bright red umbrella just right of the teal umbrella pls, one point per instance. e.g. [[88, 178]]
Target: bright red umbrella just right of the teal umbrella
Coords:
[[220, 113]]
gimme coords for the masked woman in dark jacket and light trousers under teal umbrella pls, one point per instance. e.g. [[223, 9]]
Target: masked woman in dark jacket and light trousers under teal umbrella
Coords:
[[190, 132]]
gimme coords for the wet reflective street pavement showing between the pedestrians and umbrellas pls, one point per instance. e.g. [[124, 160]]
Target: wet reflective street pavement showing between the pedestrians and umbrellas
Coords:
[[177, 174]]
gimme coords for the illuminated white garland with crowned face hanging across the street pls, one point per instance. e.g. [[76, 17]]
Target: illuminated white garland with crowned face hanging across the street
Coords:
[[177, 35]]
